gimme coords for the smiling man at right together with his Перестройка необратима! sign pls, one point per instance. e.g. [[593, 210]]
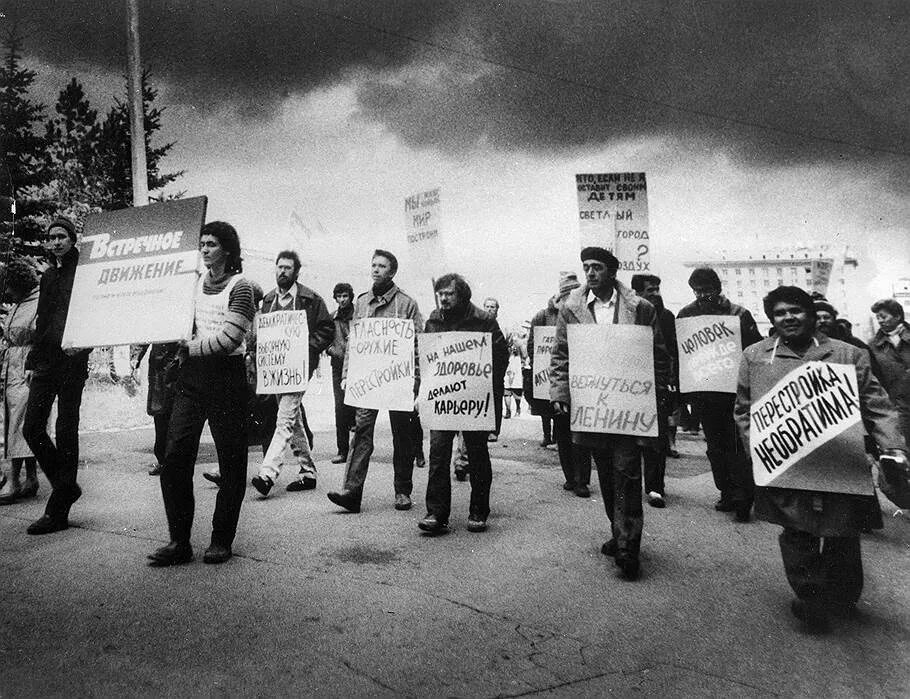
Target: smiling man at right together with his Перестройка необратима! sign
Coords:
[[801, 403]]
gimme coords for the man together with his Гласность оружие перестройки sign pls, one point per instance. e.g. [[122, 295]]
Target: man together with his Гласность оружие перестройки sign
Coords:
[[392, 337]]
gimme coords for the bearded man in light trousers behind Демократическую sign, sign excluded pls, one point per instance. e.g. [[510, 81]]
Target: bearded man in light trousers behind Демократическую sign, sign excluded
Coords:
[[288, 438]]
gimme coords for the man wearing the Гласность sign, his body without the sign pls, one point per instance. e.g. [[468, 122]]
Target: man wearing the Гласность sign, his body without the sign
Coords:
[[383, 300]]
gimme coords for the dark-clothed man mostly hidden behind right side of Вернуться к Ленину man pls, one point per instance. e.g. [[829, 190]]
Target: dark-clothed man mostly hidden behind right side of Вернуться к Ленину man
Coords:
[[655, 451]]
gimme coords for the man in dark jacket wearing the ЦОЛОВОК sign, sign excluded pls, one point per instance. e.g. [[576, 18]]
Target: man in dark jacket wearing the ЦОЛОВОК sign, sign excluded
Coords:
[[729, 462]]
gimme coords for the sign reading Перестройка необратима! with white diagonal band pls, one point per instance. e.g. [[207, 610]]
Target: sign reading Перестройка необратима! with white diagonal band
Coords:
[[806, 432]]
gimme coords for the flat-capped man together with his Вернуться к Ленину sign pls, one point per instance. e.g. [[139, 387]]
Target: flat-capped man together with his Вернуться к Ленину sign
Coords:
[[622, 411]]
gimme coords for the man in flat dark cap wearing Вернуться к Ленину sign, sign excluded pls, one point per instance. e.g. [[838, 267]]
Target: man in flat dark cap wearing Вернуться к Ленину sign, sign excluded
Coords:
[[604, 300]]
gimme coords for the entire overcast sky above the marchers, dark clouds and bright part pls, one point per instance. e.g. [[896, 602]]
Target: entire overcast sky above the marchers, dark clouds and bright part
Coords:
[[758, 124]]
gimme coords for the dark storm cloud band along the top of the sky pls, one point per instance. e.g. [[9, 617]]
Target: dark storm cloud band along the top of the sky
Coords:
[[767, 81]]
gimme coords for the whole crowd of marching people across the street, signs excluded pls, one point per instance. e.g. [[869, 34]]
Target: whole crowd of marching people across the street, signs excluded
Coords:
[[209, 378]]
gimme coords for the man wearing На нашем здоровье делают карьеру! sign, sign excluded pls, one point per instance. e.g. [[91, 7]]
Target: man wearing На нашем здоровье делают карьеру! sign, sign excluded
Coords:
[[457, 313]]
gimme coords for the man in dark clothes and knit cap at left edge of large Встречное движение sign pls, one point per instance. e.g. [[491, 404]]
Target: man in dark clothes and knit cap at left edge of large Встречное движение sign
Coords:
[[56, 373]]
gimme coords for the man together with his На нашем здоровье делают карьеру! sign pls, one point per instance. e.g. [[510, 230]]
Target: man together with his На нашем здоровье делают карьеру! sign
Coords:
[[461, 373]]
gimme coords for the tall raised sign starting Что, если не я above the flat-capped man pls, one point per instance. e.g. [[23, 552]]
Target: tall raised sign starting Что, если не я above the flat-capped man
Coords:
[[613, 214]]
